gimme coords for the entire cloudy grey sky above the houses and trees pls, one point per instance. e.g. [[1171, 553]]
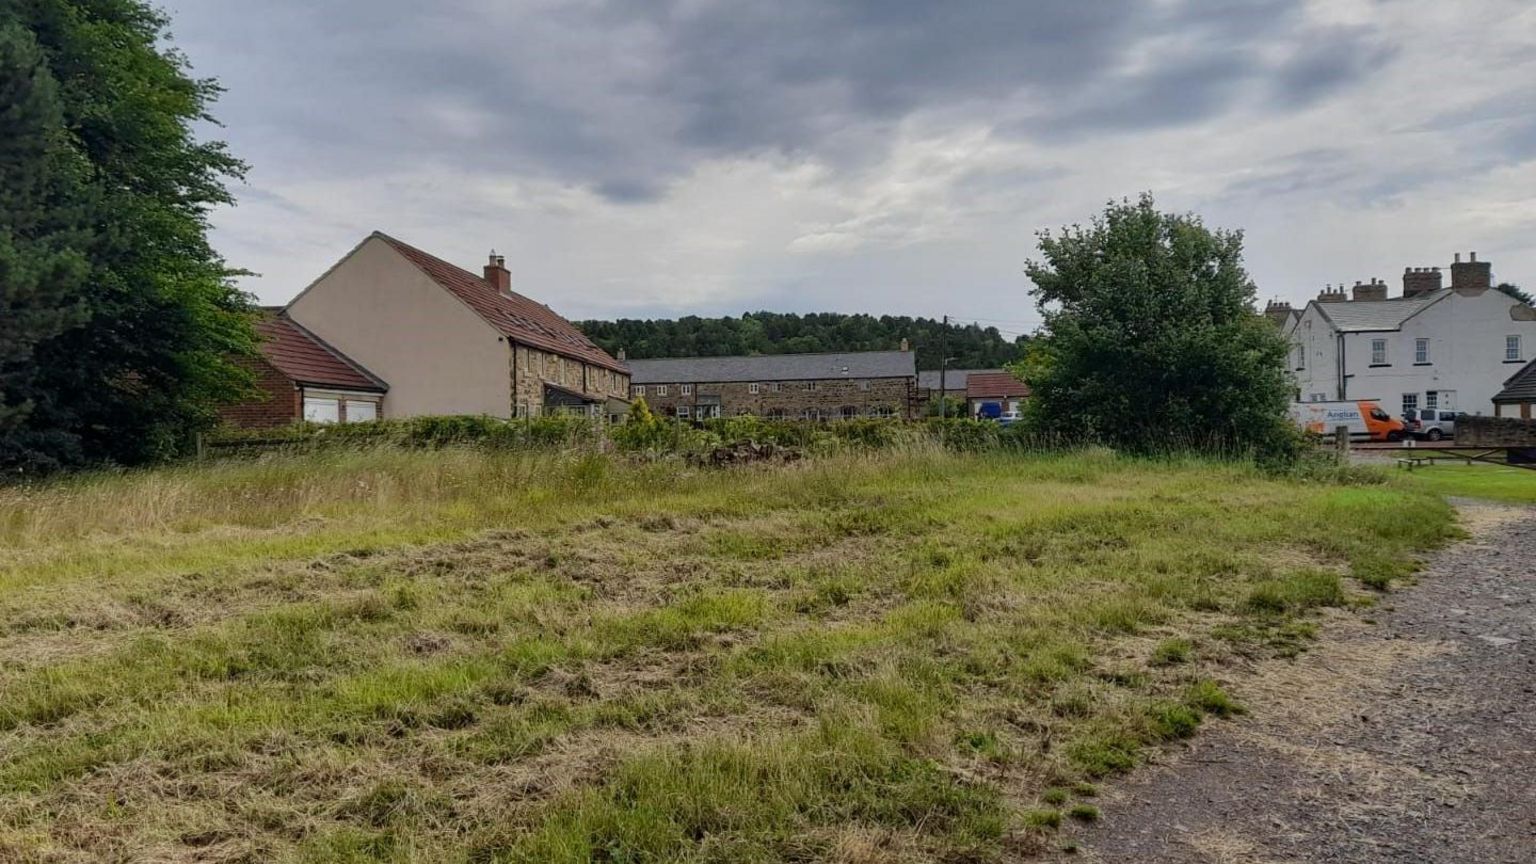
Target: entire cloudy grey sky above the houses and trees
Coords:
[[640, 159]]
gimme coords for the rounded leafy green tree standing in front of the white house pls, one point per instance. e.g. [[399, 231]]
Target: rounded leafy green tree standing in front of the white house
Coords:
[[1151, 337]]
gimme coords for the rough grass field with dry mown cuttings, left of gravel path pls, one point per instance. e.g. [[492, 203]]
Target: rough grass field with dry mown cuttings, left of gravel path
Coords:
[[509, 657]]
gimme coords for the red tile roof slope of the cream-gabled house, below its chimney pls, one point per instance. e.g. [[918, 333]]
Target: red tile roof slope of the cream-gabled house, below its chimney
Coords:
[[515, 316]]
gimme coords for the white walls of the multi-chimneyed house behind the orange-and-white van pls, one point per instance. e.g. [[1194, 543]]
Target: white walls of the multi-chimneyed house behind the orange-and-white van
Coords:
[[1466, 356]]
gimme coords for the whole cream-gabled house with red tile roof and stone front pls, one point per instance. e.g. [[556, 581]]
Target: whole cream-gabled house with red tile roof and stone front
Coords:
[[448, 341]]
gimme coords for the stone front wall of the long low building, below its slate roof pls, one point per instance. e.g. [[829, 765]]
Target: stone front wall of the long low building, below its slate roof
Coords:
[[826, 397]]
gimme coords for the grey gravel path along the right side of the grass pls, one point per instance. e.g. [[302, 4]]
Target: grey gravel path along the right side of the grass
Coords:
[[1406, 736]]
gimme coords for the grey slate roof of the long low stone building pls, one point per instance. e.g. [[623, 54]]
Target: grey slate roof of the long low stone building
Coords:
[[775, 368]]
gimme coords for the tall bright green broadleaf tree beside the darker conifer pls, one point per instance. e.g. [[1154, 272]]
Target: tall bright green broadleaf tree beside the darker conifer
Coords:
[[161, 316]]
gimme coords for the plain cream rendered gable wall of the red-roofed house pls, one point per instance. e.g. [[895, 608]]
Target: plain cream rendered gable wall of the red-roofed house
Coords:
[[437, 356]]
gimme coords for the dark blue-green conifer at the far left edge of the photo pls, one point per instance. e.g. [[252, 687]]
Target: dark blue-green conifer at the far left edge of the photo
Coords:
[[42, 265]]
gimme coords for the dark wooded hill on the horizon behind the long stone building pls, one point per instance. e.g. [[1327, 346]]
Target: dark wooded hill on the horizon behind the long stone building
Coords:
[[972, 347]]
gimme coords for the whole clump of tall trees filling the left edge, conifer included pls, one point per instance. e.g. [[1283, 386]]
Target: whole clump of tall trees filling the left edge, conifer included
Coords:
[[121, 325]]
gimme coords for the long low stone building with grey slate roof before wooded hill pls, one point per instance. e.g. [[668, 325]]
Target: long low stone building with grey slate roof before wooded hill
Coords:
[[786, 387]]
